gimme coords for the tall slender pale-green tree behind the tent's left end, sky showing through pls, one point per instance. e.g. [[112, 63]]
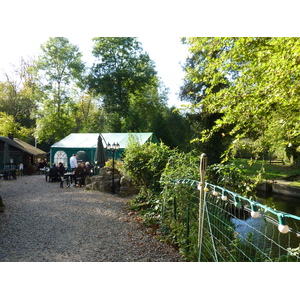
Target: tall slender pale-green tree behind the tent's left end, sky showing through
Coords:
[[60, 71]]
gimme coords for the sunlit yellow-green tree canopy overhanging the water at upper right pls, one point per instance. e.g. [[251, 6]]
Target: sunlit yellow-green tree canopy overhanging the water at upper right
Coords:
[[260, 90]]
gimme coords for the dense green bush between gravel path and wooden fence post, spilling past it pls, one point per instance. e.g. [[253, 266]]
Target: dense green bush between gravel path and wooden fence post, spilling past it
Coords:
[[166, 198]]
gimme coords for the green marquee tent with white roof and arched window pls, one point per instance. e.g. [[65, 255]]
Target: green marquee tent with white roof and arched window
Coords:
[[85, 145]]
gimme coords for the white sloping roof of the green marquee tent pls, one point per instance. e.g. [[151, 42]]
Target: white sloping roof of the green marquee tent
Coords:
[[89, 140]]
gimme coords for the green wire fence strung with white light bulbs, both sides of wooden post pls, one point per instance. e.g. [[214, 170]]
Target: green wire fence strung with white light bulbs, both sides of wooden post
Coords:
[[226, 227]]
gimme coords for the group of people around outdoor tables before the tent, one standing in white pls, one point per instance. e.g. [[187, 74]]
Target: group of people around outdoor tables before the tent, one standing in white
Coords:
[[81, 170]]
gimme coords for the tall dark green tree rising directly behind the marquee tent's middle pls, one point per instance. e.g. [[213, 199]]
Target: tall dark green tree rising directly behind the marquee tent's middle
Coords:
[[123, 70]]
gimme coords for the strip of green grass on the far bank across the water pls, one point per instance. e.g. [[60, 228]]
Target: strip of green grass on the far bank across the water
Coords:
[[271, 171]]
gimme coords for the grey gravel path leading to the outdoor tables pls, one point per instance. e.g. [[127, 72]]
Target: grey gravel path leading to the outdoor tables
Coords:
[[43, 222]]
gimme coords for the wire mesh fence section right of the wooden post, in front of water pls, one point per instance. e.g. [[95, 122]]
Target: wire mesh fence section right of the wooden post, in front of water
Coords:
[[239, 229]]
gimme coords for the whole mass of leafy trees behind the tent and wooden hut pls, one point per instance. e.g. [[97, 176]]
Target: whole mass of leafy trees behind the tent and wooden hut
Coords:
[[56, 94]]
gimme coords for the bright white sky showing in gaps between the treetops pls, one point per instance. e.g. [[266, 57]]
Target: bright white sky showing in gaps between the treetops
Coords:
[[167, 52]]
